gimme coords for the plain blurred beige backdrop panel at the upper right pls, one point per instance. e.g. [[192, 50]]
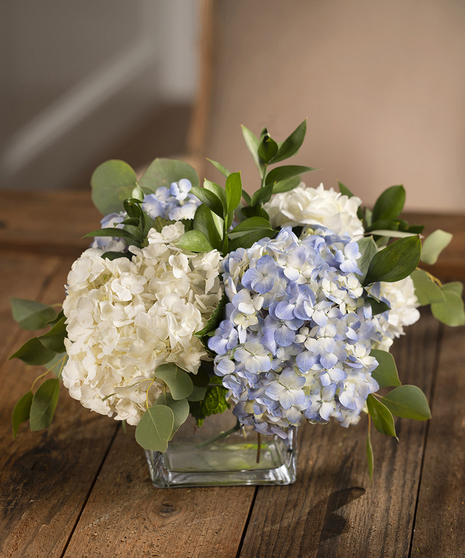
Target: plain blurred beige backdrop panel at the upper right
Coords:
[[381, 82]]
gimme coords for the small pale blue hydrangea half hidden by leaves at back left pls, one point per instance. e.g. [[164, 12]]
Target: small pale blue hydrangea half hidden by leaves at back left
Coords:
[[174, 203]]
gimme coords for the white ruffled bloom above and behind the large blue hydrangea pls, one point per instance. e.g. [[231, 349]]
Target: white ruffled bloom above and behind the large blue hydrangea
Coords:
[[310, 206]]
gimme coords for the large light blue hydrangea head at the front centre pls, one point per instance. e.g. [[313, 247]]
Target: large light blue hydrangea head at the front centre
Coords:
[[298, 333]]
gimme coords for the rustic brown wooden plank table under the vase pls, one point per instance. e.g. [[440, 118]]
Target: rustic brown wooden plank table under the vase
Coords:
[[82, 489]]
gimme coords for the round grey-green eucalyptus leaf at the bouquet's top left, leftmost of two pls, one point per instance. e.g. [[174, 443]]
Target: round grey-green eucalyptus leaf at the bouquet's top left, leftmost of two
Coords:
[[112, 183]]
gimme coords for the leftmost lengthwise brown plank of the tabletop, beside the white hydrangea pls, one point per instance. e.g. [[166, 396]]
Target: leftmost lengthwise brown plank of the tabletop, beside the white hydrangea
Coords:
[[45, 477]]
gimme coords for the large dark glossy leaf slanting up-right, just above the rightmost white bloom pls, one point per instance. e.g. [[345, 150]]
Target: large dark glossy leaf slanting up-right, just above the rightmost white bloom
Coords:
[[395, 262]]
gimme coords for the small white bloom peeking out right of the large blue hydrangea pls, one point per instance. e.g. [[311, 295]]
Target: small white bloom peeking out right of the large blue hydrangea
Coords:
[[403, 312]]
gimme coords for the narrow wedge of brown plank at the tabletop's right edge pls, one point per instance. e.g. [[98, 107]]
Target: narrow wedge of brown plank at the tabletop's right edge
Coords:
[[440, 521]]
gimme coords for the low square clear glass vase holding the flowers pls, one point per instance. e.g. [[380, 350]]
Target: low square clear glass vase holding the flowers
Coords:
[[220, 454]]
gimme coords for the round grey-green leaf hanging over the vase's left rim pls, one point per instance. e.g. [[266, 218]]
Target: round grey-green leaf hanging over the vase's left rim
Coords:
[[155, 427]]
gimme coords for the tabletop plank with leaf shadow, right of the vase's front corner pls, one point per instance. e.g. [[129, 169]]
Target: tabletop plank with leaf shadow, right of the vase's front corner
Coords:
[[333, 510]]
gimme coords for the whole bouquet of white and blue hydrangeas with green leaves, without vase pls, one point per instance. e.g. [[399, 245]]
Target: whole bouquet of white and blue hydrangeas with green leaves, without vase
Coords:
[[283, 304]]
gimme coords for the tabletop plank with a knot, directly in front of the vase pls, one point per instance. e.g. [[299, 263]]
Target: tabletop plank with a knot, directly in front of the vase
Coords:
[[126, 516]]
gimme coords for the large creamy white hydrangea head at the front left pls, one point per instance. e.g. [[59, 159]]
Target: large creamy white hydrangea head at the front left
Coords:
[[125, 318]]
